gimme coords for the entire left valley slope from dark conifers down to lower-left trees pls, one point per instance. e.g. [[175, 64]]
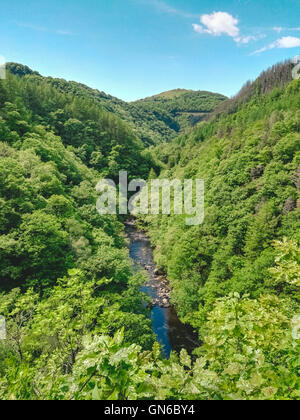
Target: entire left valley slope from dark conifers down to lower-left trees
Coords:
[[64, 270]]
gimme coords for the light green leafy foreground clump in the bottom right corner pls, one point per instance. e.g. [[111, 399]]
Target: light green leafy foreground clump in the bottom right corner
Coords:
[[249, 344]]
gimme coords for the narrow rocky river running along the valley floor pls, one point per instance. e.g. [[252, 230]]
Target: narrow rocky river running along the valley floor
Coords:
[[170, 332]]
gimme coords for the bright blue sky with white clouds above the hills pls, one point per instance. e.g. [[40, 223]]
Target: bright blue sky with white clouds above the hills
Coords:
[[136, 48]]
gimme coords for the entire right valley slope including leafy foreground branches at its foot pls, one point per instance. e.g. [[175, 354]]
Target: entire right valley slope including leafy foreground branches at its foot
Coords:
[[235, 276]]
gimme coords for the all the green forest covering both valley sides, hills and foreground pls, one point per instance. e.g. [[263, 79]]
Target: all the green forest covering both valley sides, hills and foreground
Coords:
[[78, 325]]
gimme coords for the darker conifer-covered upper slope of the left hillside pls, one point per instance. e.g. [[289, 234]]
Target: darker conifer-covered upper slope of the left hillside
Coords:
[[99, 138]]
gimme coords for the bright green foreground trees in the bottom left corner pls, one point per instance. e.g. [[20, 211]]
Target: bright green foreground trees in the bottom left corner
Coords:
[[48, 334]]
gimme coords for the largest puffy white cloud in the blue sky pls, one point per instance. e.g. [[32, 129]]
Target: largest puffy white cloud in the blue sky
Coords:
[[218, 23]]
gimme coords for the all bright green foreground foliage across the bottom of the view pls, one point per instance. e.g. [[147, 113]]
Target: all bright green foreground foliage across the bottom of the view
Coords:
[[58, 348]]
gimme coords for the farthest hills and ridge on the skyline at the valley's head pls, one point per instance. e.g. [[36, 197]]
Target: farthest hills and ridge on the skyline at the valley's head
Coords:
[[155, 119]]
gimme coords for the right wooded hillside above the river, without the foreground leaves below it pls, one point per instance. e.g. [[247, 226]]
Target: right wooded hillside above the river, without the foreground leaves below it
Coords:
[[250, 161]]
